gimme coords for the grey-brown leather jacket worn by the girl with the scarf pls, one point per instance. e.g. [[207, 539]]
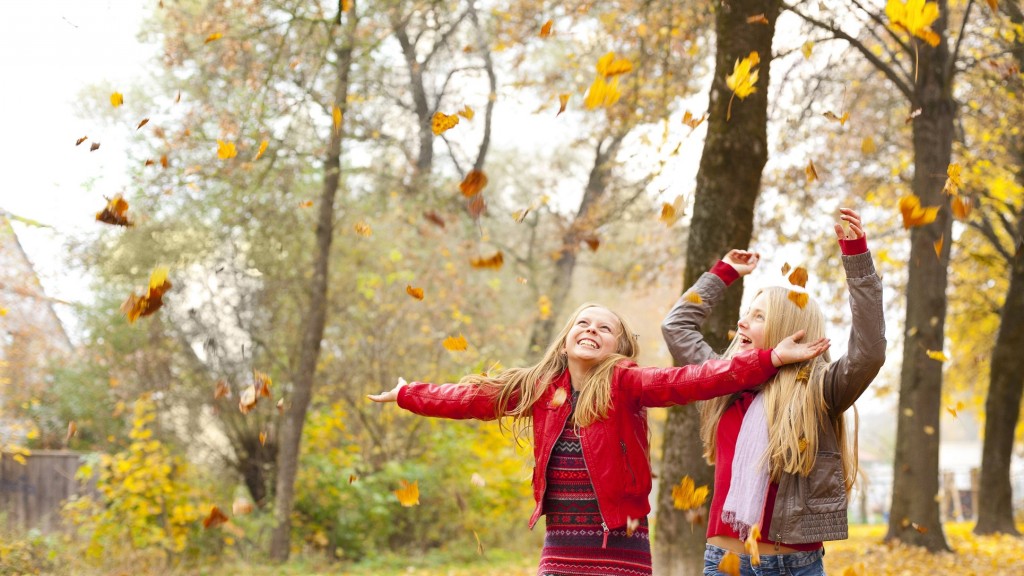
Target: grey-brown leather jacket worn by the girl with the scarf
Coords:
[[808, 509]]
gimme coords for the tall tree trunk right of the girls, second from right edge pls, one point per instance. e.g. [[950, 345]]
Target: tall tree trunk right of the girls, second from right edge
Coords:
[[914, 517]]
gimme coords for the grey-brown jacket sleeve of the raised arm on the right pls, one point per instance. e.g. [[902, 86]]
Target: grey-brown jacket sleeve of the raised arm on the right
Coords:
[[849, 377]]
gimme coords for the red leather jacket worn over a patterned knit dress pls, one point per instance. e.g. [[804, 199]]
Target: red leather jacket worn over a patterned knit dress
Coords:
[[616, 449]]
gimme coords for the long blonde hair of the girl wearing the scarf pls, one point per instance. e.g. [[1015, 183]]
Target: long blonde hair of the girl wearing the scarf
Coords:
[[794, 399]]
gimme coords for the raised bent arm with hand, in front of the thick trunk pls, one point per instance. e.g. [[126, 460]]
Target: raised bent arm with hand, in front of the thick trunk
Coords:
[[681, 328]]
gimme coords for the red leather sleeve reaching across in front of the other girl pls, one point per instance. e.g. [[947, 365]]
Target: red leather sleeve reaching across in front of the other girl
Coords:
[[668, 387]]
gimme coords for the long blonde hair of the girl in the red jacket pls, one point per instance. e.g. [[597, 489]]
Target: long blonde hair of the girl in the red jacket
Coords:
[[519, 389]]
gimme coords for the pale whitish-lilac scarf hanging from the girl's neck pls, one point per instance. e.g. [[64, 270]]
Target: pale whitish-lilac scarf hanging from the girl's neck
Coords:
[[749, 487]]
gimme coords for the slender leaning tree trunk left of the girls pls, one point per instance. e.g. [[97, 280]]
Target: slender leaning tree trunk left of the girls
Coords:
[[316, 318]]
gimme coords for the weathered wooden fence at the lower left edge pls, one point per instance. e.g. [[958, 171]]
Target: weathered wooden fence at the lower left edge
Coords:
[[31, 495]]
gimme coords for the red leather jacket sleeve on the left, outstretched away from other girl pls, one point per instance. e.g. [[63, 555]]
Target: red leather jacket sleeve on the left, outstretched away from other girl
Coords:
[[459, 402]]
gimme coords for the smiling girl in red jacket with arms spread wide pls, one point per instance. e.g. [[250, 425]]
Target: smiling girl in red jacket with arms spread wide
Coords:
[[586, 403]]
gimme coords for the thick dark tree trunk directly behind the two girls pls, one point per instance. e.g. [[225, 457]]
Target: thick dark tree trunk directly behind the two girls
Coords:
[[729, 183]]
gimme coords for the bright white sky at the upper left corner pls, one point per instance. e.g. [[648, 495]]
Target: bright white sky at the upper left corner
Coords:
[[51, 51]]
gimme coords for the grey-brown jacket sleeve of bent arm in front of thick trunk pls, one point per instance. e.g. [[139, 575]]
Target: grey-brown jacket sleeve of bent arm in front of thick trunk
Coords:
[[681, 328]]
